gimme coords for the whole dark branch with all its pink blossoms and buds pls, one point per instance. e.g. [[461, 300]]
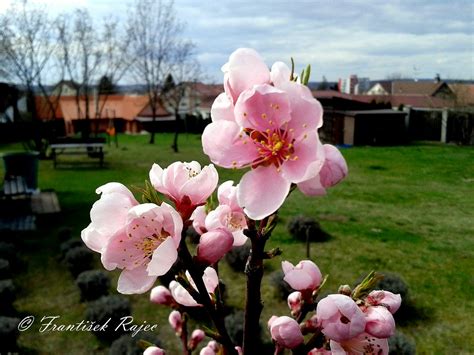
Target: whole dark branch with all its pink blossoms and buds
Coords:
[[266, 121]]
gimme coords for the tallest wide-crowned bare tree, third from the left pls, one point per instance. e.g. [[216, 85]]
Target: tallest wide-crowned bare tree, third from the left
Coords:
[[154, 41]]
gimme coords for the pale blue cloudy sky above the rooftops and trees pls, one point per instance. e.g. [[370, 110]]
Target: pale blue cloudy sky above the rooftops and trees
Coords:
[[369, 38]]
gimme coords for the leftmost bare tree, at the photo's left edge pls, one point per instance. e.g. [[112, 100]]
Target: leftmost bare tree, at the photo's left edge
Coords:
[[26, 44]]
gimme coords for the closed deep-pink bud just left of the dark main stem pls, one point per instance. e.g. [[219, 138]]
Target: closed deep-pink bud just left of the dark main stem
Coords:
[[214, 244]]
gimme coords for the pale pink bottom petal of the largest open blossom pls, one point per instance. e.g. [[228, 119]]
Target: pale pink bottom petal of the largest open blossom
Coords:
[[262, 191]]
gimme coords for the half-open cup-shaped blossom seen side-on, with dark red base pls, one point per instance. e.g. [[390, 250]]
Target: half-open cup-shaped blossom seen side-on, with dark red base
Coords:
[[185, 184]]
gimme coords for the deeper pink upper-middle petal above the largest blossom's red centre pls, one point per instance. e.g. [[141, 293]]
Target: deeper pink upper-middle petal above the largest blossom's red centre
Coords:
[[262, 107]]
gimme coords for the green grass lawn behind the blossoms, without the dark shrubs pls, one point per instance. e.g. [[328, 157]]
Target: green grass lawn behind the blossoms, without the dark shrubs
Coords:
[[403, 209]]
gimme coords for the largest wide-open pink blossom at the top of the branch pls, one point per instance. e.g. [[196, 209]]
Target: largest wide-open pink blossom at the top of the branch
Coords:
[[272, 129]]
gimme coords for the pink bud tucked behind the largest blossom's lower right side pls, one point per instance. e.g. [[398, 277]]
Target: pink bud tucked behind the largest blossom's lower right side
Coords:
[[333, 171]]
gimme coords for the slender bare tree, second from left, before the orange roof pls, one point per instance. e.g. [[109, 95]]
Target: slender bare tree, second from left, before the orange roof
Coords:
[[81, 53]]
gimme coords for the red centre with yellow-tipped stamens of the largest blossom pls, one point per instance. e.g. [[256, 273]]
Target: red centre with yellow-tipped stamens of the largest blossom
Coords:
[[274, 147]]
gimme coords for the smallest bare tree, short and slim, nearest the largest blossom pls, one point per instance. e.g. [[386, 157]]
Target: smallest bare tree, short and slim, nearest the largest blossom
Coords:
[[184, 73]]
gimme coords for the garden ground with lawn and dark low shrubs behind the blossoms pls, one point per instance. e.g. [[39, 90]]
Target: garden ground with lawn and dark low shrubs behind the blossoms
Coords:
[[403, 211]]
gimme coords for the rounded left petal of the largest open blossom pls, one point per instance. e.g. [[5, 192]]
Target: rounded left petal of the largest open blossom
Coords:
[[224, 143]]
